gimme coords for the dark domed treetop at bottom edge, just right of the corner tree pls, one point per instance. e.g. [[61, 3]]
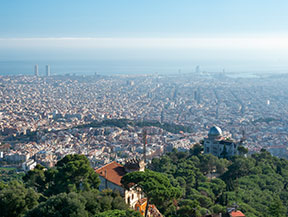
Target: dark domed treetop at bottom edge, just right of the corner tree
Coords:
[[61, 205]]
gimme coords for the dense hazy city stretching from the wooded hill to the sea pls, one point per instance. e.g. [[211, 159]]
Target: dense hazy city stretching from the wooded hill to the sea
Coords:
[[44, 118]]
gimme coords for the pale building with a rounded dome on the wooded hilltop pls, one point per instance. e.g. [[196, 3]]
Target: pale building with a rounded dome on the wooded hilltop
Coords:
[[219, 146]]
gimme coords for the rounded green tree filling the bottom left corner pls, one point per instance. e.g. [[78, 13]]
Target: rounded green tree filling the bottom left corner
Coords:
[[16, 200]]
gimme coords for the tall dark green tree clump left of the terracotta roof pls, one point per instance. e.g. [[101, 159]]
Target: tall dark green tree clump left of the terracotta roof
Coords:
[[71, 174]]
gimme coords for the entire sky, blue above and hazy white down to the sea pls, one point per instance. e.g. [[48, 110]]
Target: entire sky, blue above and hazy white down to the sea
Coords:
[[222, 33]]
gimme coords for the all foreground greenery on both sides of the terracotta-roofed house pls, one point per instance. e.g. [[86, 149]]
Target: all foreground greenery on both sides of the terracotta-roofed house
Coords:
[[180, 184]]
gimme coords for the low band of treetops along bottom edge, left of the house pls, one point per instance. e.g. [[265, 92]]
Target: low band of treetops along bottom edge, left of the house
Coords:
[[87, 203]]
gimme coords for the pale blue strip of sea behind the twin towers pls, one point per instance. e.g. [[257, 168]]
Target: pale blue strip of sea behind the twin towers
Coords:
[[110, 67]]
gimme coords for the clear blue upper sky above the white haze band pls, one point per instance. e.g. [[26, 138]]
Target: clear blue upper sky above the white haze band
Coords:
[[152, 18]]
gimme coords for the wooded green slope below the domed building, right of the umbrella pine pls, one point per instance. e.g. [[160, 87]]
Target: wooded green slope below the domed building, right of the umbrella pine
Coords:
[[257, 184]]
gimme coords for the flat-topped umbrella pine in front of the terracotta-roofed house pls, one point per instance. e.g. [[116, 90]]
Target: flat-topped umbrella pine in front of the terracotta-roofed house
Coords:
[[156, 186]]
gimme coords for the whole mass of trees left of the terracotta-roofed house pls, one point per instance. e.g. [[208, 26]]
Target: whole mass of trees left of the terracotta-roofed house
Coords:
[[68, 189]]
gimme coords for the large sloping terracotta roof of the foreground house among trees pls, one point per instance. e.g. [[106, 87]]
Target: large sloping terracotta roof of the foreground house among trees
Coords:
[[114, 172]]
